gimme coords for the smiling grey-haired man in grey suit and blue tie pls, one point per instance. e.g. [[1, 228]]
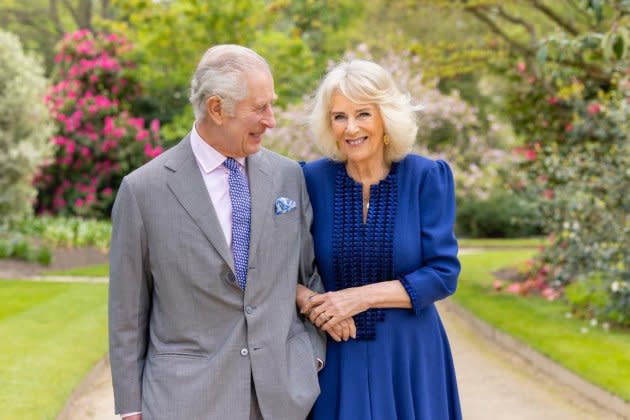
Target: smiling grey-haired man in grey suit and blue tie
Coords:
[[209, 242]]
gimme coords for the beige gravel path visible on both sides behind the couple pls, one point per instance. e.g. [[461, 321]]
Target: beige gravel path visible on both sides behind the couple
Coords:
[[492, 384]]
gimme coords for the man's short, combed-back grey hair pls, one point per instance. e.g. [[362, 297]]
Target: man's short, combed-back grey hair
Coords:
[[222, 72]]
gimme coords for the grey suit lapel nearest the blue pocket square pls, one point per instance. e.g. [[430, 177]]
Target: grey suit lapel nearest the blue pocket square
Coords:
[[260, 187]]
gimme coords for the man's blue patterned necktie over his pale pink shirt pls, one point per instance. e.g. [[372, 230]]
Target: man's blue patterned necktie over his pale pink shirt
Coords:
[[239, 196]]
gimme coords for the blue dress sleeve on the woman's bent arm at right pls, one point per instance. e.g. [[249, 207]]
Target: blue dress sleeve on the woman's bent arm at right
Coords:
[[437, 276]]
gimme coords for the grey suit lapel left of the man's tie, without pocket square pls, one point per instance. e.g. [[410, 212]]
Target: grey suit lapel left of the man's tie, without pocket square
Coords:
[[186, 183]]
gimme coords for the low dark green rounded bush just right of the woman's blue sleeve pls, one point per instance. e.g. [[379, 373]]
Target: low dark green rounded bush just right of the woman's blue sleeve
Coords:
[[501, 215]]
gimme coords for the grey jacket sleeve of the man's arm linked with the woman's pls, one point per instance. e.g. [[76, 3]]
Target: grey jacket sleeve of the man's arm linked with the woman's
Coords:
[[309, 276]]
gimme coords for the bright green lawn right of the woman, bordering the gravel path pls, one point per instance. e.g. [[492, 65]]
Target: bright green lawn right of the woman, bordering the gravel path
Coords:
[[600, 357]]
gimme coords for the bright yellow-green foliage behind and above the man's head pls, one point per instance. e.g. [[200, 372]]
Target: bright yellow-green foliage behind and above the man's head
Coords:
[[170, 38]]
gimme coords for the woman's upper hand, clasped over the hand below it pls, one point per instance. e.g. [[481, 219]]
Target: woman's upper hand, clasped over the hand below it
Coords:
[[327, 310]]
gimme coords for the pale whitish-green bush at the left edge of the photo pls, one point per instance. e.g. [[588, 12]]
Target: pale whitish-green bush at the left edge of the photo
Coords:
[[25, 127]]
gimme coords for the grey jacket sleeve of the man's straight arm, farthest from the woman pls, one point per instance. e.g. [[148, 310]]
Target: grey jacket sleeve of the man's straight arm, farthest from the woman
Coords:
[[129, 301]]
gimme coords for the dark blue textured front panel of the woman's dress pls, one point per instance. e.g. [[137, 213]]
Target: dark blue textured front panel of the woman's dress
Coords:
[[363, 252]]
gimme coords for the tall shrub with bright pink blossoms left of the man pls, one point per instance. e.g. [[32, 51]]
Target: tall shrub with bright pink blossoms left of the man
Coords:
[[98, 141]]
